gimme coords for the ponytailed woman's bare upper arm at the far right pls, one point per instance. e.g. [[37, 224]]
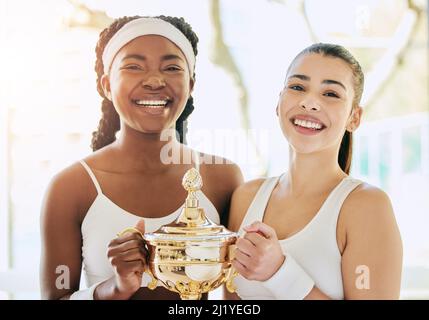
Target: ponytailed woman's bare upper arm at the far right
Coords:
[[372, 258]]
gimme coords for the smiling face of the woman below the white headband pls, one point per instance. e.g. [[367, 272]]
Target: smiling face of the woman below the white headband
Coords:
[[149, 83]]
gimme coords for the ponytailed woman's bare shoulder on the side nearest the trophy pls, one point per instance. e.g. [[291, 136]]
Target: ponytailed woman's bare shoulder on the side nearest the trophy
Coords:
[[241, 200]]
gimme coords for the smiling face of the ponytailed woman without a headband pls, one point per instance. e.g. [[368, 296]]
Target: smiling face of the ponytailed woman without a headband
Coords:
[[315, 106]]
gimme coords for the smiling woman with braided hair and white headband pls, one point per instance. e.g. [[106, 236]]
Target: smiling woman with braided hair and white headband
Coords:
[[145, 75]]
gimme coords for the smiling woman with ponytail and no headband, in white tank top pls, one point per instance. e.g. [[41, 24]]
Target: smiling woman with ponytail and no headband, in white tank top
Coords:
[[315, 232]]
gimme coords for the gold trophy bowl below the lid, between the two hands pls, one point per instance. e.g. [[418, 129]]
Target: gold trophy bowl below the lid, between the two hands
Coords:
[[192, 265]]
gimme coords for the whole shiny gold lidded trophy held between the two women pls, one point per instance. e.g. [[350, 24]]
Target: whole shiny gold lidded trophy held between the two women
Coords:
[[192, 255]]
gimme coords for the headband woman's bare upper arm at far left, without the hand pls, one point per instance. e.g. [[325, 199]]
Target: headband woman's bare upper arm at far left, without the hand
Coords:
[[61, 257]]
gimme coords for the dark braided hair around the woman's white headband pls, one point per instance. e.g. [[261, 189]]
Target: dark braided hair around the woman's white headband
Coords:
[[109, 123]]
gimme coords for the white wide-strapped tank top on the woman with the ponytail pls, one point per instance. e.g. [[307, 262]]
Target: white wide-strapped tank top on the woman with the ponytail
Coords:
[[314, 247]]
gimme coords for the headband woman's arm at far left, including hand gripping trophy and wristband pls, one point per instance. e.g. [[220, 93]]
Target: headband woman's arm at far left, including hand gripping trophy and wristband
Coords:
[[64, 207]]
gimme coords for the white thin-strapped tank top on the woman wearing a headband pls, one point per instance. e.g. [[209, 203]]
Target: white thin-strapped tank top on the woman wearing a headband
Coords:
[[105, 219]]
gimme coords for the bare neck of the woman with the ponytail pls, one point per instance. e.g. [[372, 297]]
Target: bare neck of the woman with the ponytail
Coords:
[[312, 173]]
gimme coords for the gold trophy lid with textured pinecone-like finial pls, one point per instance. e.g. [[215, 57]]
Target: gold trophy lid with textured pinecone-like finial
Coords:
[[192, 223]]
